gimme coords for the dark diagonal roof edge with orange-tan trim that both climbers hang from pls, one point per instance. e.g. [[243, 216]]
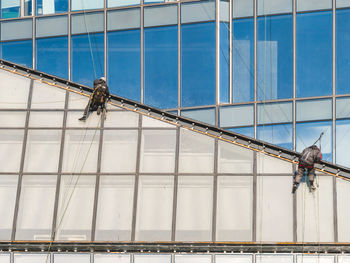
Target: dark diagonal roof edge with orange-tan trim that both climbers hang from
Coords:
[[197, 126]]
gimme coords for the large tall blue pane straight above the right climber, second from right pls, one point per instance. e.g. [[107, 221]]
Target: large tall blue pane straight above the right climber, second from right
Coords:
[[314, 54]]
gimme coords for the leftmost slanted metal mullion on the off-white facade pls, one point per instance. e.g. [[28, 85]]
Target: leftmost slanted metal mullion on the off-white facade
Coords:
[[19, 183]]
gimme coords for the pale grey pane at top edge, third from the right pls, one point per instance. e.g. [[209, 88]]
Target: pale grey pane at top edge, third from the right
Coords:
[[266, 7]]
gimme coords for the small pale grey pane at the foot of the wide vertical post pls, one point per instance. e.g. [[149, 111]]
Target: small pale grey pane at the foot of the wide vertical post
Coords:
[[241, 115]]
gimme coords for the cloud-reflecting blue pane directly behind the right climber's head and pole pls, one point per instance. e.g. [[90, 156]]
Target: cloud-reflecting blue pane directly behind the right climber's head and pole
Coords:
[[307, 133]]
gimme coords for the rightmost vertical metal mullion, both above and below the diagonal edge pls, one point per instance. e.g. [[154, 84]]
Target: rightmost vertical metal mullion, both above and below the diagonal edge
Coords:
[[335, 205]]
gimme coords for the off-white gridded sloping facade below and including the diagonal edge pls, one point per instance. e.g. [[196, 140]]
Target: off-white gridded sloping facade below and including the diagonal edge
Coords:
[[142, 174]]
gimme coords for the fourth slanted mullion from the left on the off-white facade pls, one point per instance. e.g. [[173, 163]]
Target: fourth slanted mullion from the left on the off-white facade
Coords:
[[133, 226]]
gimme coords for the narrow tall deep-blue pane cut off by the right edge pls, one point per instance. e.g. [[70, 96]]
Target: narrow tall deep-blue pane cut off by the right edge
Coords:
[[342, 51]]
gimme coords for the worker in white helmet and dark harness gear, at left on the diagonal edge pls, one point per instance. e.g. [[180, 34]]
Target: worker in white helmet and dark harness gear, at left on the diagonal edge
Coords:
[[98, 98]]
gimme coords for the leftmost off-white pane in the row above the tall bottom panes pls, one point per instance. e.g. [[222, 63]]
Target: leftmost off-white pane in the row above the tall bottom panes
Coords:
[[10, 150]]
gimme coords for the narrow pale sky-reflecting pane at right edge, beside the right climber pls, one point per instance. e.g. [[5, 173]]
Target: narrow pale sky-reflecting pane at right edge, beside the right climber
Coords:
[[342, 140]]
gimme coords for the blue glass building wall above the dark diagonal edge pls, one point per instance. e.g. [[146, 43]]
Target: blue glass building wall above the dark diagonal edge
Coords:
[[276, 70]]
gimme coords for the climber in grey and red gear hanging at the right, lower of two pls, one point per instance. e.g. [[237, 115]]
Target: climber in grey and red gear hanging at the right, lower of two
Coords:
[[308, 158]]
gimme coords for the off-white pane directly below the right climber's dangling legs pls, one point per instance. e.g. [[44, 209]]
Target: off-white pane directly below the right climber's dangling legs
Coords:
[[315, 212]]
